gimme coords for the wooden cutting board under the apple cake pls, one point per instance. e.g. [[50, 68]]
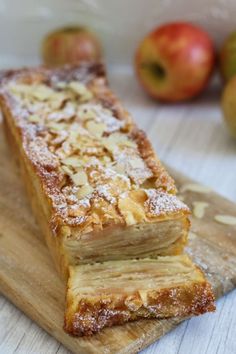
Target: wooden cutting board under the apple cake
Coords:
[[28, 277]]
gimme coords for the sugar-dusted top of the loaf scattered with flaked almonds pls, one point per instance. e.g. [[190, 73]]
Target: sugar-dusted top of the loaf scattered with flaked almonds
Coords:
[[97, 168]]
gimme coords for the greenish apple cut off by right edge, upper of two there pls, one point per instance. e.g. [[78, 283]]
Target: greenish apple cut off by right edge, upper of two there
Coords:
[[228, 57]]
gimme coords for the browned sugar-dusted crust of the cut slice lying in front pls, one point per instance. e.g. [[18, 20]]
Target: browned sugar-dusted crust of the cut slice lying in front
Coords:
[[176, 302]]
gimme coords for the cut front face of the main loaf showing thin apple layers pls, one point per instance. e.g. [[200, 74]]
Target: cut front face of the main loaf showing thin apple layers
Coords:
[[166, 237]]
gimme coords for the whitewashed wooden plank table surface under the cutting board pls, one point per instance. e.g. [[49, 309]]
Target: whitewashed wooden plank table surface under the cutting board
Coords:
[[191, 138]]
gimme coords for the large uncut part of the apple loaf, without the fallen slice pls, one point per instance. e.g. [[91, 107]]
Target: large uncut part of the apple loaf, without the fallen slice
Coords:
[[96, 185]]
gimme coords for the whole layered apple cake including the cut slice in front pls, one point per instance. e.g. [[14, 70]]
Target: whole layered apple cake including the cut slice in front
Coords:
[[101, 197]]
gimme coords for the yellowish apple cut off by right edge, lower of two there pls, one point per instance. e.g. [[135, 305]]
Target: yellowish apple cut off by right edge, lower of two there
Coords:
[[229, 105]]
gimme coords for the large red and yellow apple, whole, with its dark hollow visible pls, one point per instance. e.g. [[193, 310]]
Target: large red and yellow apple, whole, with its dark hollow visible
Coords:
[[175, 61]]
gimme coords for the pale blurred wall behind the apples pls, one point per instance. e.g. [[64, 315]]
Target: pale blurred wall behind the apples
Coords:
[[119, 23]]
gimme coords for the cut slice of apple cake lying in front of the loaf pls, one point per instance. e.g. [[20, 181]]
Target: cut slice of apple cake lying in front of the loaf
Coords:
[[105, 294]]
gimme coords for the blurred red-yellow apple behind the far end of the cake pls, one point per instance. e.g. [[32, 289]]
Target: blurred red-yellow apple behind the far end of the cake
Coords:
[[70, 45]]
